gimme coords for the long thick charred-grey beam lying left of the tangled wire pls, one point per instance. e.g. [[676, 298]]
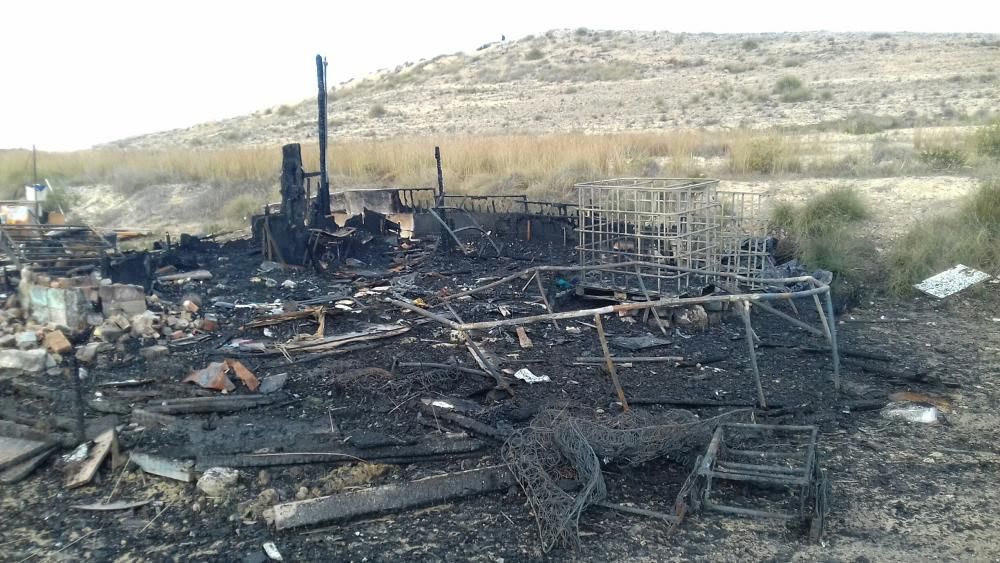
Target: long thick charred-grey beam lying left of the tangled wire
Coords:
[[390, 498]]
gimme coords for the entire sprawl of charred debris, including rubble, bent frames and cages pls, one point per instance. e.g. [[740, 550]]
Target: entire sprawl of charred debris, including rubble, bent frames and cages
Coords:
[[442, 347]]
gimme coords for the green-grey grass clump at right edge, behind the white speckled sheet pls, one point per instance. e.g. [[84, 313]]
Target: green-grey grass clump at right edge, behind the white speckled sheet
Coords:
[[969, 235]]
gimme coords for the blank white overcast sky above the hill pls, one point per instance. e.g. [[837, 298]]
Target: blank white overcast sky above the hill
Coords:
[[81, 73]]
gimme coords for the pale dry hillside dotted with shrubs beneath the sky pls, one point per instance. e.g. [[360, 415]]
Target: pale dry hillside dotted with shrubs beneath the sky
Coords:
[[609, 81]]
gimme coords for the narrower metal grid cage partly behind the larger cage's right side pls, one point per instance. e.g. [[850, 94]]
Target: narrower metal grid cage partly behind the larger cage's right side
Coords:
[[743, 235]]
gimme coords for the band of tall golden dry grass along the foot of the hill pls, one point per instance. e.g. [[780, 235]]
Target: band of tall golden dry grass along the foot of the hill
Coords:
[[539, 165]]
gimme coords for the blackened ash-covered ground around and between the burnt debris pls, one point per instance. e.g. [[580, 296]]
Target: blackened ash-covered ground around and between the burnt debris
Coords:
[[900, 490]]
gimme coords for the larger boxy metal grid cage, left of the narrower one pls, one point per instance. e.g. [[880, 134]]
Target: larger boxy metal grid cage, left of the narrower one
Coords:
[[669, 221]]
